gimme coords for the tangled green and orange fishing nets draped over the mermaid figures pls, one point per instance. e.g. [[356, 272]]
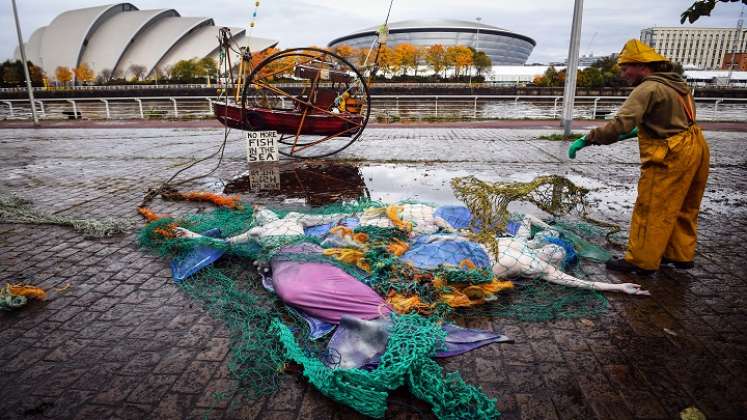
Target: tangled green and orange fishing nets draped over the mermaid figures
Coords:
[[263, 344]]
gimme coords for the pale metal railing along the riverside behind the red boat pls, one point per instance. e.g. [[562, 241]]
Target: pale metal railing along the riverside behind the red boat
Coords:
[[385, 108]]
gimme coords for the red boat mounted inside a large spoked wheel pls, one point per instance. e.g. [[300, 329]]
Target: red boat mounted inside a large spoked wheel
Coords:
[[316, 100]]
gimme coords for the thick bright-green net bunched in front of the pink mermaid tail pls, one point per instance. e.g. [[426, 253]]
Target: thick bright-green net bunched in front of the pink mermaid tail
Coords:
[[407, 360]]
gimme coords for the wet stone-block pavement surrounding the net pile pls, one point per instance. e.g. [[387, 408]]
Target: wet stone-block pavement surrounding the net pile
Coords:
[[117, 339]]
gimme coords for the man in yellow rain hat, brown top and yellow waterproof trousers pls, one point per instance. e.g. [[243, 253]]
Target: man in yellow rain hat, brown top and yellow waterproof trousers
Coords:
[[674, 161]]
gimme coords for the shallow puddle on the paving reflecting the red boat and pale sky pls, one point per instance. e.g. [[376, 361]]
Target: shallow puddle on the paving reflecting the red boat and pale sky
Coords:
[[319, 183]]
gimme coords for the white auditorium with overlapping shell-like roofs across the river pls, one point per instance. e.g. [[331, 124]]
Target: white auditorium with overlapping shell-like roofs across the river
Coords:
[[117, 36]]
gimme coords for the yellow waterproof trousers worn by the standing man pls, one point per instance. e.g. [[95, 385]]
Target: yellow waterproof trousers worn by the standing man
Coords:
[[674, 172]]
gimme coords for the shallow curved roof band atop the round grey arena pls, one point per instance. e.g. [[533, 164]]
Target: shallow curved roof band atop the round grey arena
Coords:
[[442, 25]]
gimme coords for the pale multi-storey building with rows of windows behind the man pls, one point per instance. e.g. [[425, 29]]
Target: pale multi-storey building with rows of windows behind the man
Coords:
[[703, 48]]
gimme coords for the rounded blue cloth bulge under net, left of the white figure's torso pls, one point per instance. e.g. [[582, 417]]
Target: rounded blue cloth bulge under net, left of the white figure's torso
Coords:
[[428, 252]]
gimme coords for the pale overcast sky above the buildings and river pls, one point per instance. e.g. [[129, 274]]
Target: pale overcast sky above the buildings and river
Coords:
[[606, 24]]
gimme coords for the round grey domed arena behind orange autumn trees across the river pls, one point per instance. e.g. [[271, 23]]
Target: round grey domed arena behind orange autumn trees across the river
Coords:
[[501, 45]]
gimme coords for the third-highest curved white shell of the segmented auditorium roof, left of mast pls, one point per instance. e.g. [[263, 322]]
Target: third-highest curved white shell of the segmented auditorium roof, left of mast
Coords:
[[156, 42]]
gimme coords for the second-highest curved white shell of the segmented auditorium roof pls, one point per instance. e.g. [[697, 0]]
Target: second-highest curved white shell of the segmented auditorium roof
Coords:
[[110, 41]]
